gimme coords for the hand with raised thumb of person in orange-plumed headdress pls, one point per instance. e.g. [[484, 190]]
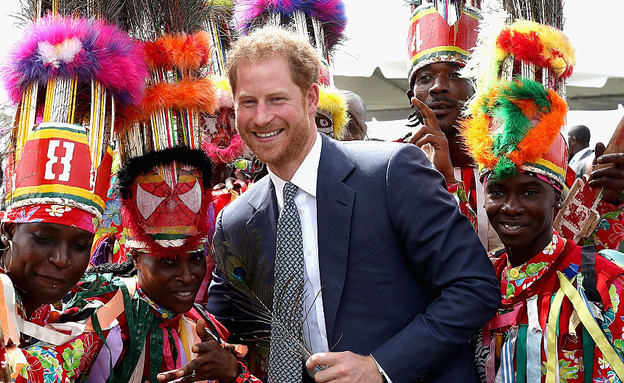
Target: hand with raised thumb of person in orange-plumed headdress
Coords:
[[212, 362]]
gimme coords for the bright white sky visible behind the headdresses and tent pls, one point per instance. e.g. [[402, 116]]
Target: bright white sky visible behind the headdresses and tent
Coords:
[[377, 31]]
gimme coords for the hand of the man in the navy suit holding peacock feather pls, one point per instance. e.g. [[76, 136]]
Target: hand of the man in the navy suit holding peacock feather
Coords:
[[345, 367]]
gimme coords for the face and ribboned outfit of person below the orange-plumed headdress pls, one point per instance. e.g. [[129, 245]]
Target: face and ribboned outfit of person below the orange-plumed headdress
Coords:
[[164, 336]]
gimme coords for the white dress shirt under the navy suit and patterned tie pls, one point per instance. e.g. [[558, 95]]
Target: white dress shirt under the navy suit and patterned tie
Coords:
[[314, 330]]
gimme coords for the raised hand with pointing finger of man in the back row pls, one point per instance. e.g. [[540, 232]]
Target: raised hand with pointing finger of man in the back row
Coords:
[[431, 134]]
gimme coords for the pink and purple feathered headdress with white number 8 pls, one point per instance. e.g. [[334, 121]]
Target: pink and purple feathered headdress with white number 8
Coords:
[[68, 75]]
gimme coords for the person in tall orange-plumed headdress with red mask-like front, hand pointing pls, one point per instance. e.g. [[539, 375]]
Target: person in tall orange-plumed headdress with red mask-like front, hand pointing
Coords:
[[164, 181]]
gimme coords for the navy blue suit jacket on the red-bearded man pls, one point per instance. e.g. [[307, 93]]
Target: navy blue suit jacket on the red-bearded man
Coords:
[[403, 274]]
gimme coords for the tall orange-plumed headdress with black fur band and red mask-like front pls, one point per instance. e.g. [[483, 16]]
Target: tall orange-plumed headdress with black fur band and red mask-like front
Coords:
[[165, 176]]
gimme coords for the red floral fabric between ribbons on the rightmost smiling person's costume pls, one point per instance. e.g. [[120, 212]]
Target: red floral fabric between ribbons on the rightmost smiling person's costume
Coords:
[[570, 344]]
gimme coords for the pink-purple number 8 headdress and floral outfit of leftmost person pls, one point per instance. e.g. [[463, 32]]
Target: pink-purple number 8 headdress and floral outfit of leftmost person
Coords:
[[68, 76]]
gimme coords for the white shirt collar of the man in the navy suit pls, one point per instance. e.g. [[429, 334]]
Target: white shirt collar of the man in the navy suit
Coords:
[[306, 175]]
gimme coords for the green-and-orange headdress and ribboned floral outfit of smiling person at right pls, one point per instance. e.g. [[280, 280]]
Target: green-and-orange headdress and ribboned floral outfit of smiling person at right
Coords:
[[544, 330]]
